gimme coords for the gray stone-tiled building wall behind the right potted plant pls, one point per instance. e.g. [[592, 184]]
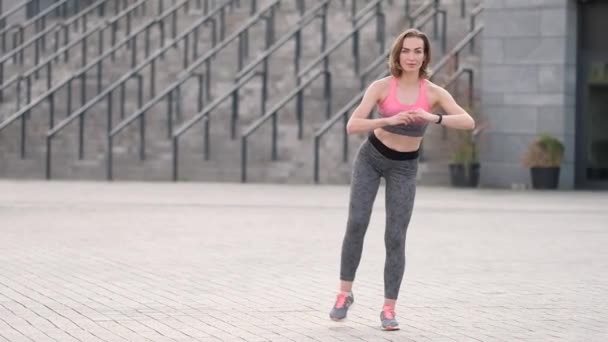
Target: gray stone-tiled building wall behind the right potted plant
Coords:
[[528, 85]]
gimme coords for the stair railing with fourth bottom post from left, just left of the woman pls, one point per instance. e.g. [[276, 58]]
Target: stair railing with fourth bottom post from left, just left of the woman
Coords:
[[306, 77]]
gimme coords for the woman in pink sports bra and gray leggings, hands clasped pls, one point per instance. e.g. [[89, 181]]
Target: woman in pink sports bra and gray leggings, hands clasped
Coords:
[[405, 102]]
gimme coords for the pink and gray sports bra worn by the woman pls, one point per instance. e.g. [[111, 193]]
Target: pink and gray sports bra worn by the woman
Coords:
[[391, 106]]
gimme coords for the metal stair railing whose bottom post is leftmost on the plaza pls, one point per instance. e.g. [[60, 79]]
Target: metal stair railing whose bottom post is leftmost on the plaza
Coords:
[[190, 34]]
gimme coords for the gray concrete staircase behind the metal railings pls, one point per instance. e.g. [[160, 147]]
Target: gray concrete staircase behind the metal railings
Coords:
[[295, 156]]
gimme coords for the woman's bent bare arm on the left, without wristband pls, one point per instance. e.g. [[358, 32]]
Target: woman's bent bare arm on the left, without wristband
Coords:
[[360, 122]]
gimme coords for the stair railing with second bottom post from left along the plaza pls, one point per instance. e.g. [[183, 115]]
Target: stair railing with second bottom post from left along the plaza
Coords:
[[266, 13]]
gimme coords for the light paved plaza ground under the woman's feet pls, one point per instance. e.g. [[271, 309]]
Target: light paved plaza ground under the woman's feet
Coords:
[[230, 262]]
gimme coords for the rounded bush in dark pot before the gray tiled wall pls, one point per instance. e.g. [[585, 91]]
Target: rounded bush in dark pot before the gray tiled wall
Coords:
[[544, 157]]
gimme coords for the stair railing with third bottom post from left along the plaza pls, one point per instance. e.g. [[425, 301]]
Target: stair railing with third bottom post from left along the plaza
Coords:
[[242, 79]]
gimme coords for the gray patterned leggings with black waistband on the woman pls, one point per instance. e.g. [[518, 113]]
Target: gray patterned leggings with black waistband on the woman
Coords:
[[375, 160]]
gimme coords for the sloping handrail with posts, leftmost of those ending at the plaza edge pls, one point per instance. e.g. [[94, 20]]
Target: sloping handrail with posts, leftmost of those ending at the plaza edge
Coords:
[[107, 92]]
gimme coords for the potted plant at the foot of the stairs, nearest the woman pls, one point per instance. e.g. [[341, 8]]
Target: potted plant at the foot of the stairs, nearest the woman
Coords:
[[464, 168]]
